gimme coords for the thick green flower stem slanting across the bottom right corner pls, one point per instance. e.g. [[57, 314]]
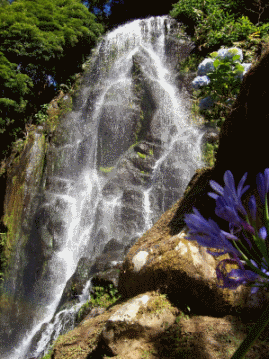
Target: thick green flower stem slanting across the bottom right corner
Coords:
[[253, 334]]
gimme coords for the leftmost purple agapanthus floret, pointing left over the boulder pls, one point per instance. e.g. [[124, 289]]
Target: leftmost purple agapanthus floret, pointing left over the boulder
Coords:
[[208, 234]]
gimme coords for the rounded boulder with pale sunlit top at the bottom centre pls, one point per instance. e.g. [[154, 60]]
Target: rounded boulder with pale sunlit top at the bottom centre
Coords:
[[136, 322]]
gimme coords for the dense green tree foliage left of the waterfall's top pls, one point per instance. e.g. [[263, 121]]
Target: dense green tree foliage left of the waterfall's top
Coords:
[[42, 44]]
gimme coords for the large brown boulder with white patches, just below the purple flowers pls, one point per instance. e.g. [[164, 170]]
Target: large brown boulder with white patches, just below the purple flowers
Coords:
[[186, 272]]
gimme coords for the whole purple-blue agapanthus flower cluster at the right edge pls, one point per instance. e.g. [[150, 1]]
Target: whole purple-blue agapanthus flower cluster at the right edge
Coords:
[[250, 257]]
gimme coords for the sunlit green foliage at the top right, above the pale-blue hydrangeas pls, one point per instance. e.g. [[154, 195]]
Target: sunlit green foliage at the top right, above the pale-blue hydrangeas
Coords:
[[214, 23]]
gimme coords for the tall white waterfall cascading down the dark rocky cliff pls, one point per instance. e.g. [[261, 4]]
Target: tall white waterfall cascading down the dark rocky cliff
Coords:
[[122, 157]]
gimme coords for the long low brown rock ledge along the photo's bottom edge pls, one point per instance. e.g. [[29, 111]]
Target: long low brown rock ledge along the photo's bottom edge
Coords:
[[149, 326]]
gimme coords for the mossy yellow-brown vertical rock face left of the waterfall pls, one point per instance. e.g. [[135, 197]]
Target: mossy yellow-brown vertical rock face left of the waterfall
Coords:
[[24, 181]]
